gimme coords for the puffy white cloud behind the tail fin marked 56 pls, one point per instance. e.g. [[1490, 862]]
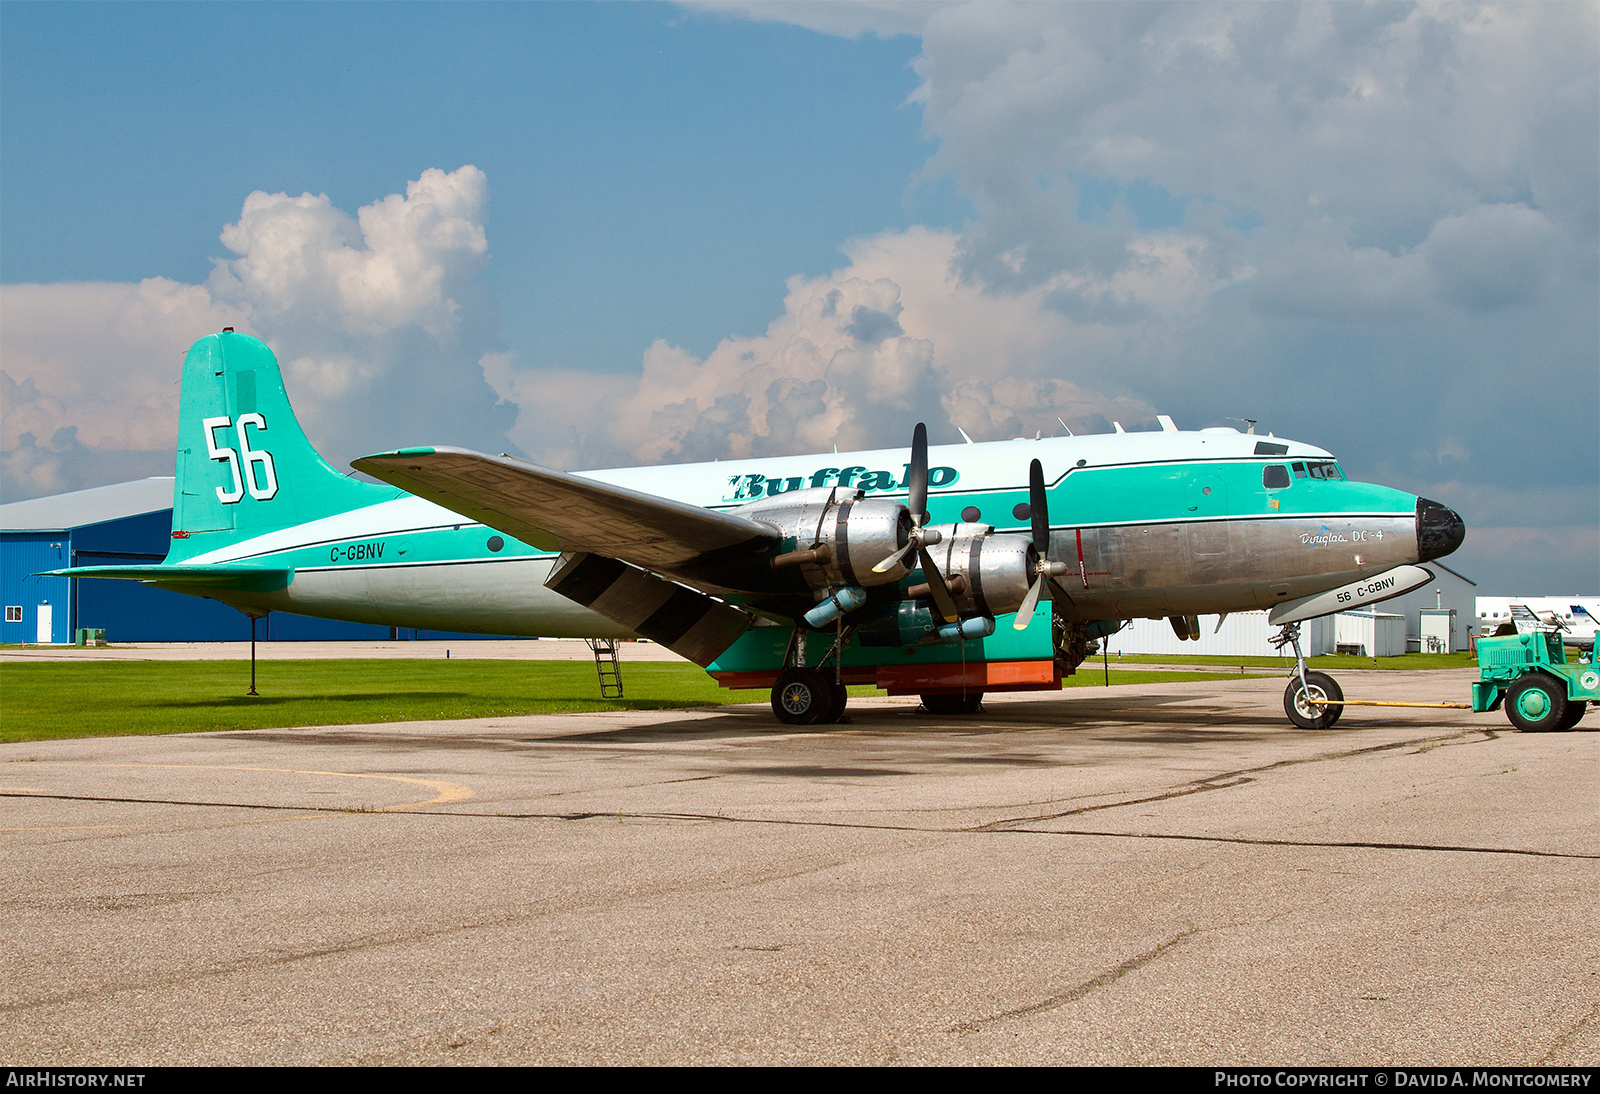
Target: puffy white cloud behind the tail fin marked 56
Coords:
[[378, 321]]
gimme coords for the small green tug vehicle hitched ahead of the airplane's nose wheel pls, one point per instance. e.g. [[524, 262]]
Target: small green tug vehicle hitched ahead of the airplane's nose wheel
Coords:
[[1532, 677]]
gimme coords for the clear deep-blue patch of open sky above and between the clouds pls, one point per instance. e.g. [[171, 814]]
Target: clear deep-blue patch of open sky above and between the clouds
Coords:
[[686, 162]]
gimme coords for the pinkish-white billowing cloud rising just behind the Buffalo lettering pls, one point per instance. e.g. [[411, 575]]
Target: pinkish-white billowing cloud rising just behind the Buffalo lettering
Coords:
[[857, 359]]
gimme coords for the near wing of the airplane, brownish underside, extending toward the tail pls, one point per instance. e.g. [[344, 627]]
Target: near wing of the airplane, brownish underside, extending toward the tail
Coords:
[[558, 511]]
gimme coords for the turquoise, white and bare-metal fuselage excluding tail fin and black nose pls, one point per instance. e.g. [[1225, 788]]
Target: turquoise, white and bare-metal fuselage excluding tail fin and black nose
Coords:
[[1170, 524]]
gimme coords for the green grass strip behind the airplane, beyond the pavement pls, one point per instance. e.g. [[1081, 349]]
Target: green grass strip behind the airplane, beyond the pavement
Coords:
[[60, 700]]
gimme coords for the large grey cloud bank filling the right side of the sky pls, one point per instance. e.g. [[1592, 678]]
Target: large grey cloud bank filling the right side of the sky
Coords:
[[1372, 226]]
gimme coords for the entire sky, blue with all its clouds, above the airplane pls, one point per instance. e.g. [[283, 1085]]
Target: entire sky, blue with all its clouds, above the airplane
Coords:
[[636, 233]]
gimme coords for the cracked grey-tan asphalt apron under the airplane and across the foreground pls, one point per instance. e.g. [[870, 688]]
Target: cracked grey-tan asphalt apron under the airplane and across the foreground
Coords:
[[1154, 874]]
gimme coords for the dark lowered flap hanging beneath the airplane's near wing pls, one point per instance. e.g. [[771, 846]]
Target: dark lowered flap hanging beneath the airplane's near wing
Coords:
[[686, 621]]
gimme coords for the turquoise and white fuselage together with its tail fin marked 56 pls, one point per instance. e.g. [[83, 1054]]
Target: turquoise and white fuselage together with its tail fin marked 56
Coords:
[[1161, 524]]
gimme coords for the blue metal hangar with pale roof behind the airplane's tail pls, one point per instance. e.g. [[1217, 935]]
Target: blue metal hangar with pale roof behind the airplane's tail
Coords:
[[122, 525]]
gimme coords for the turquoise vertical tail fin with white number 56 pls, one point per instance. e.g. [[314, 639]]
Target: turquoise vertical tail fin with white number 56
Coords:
[[244, 463]]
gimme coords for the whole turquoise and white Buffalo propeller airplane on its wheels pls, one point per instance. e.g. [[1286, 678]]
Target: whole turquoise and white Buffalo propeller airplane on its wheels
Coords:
[[802, 573]]
